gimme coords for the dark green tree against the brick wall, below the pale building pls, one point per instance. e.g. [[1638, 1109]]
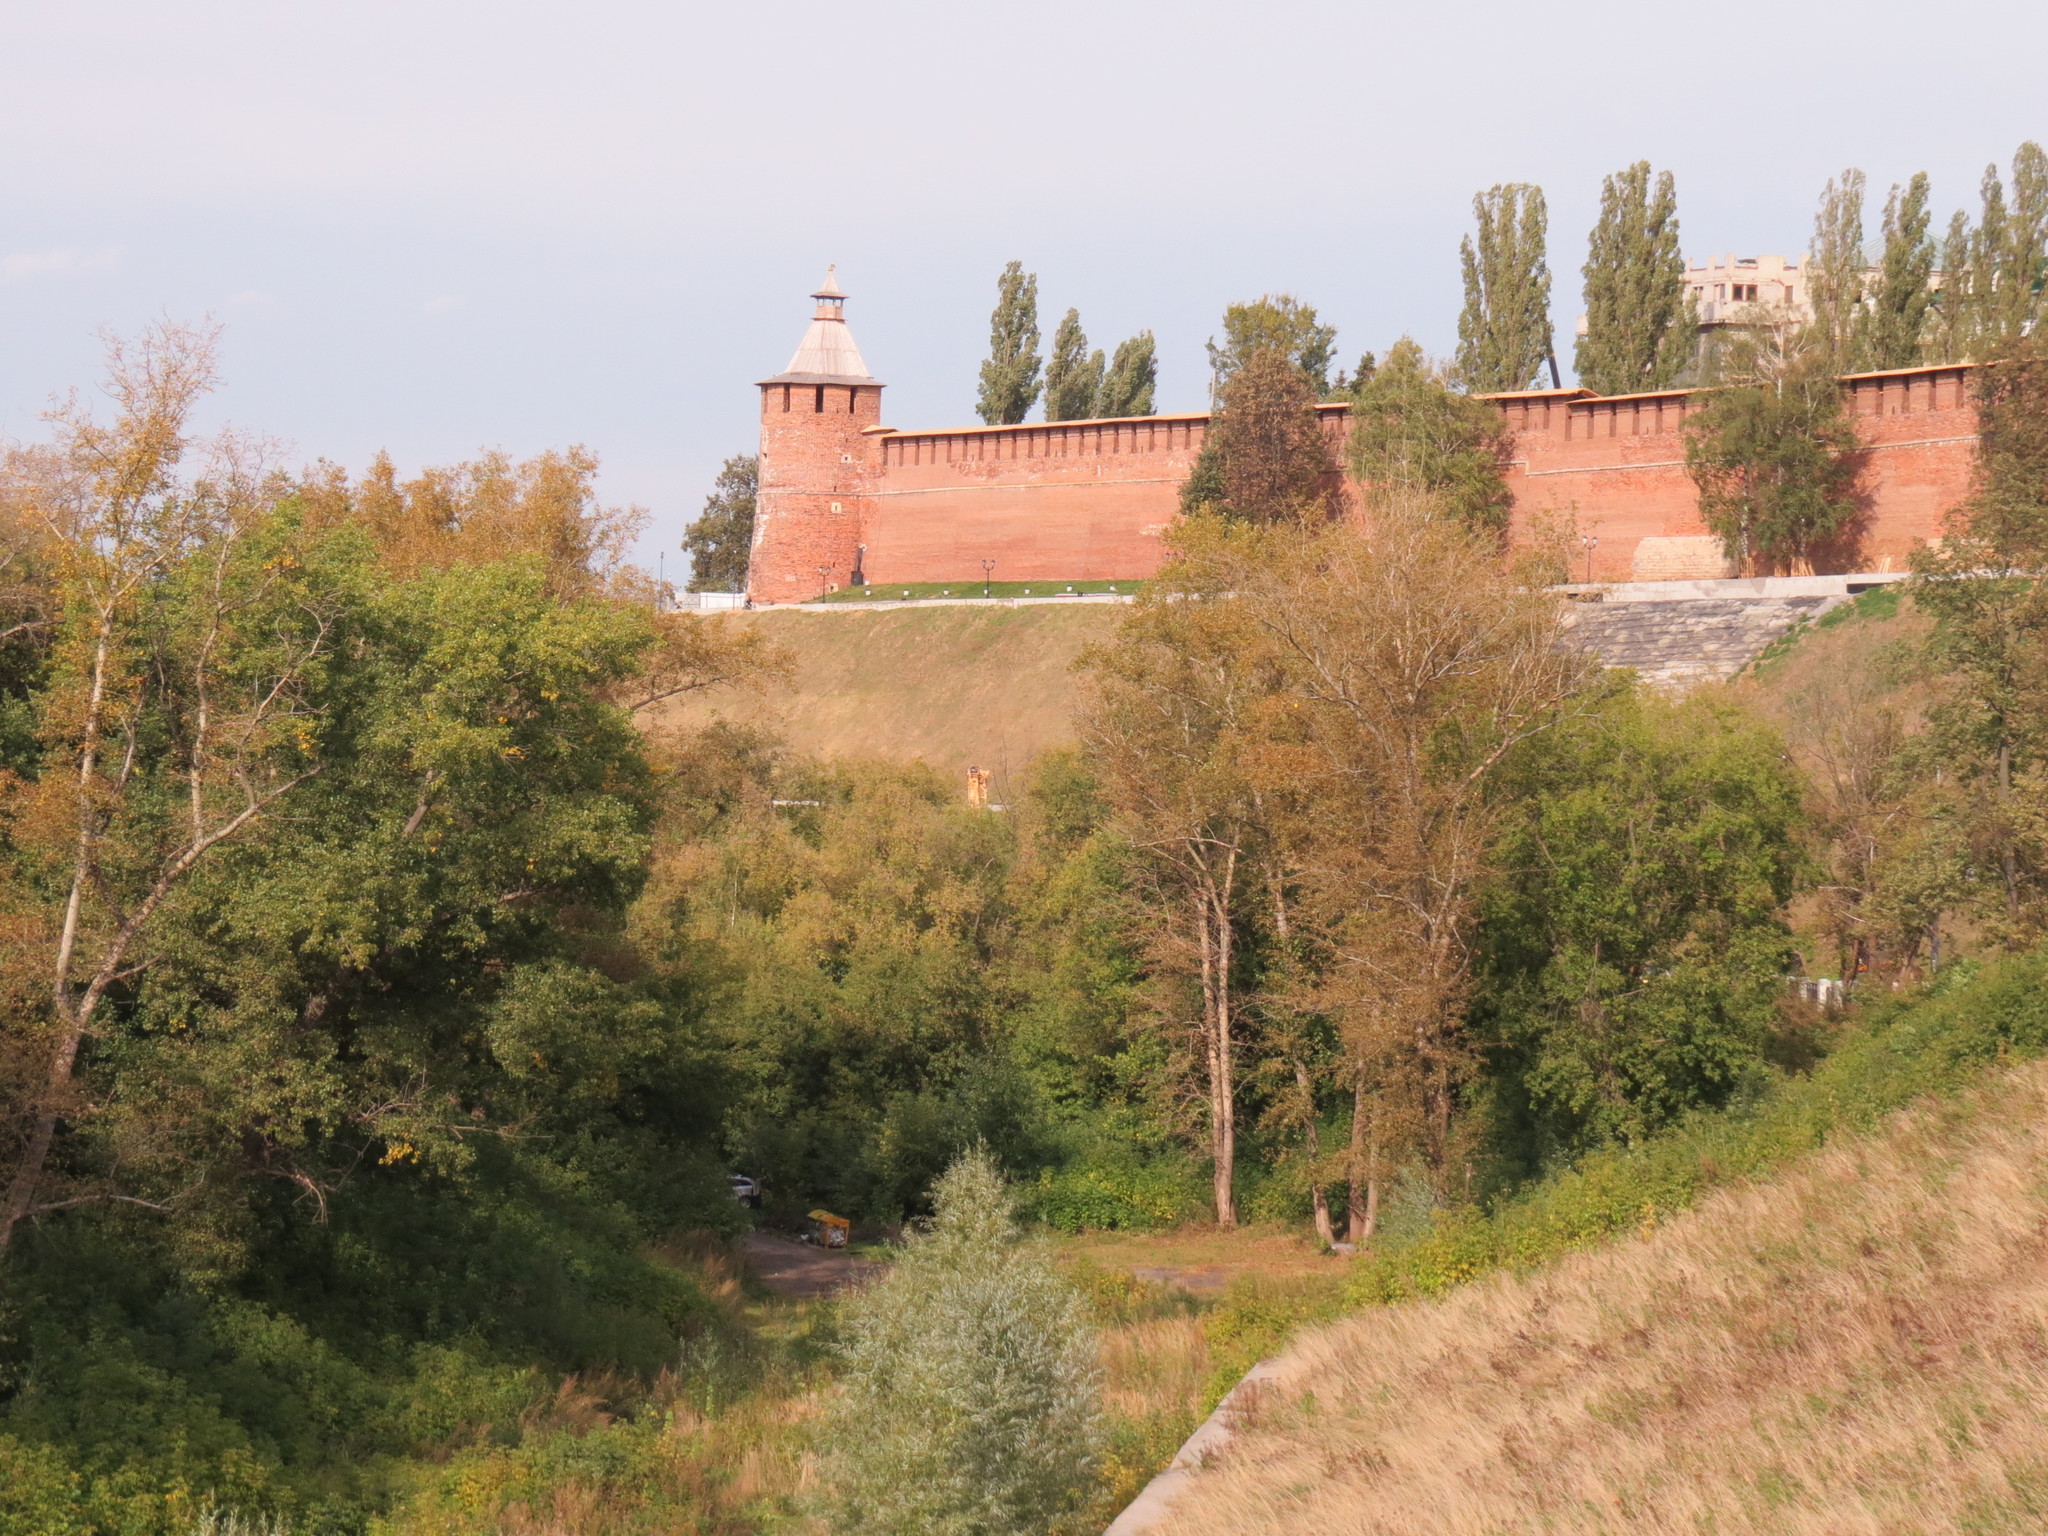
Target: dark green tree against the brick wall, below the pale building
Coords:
[[1779, 470]]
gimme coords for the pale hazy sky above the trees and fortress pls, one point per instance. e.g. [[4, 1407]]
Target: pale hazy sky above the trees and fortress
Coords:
[[441, 226]]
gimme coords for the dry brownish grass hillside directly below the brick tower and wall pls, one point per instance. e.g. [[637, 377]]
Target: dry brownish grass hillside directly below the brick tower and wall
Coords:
[[949, 685]]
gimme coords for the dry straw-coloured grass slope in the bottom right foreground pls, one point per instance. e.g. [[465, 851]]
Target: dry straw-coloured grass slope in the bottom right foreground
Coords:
[[1857, 1349]]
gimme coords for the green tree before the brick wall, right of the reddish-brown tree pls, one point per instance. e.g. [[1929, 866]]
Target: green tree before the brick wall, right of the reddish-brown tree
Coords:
[[1416, 437]]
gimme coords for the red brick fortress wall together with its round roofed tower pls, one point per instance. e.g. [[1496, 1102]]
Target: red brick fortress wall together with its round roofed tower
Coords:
[[1068, 501]]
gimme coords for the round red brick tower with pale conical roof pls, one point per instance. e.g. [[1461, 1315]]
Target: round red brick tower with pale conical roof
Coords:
[[820, 425]]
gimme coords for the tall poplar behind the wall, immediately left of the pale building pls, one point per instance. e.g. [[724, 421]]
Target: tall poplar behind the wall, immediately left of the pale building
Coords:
[[1639, 316]]
